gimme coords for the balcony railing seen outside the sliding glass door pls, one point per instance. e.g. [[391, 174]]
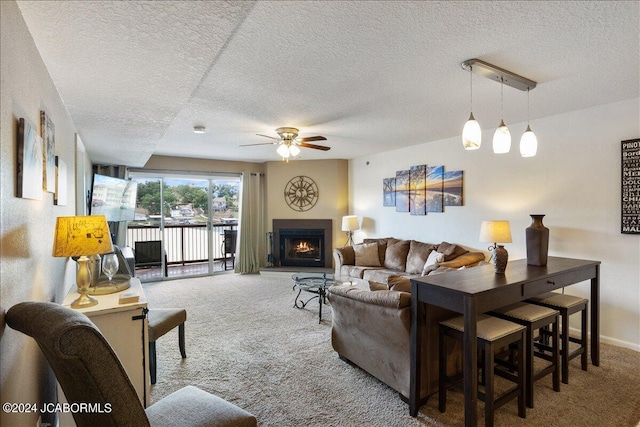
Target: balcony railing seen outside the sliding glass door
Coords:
[[183, 243]]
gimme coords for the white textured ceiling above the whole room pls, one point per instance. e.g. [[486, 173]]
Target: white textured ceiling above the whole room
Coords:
[[136, 77]]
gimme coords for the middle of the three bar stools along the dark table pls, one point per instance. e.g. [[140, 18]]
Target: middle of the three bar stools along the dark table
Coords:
[[534, 317]]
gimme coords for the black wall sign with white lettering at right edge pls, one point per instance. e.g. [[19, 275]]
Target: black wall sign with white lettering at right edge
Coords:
[[630, 187]]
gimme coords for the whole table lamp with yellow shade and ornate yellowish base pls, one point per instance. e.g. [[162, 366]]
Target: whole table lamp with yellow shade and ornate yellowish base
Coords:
[[82, 236]]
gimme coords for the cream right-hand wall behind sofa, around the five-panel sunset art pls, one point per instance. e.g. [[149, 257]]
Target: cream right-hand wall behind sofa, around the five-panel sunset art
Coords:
[[574, 180]]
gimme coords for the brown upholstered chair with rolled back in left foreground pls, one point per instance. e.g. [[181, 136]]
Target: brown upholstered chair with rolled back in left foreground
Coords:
[[89, 371]]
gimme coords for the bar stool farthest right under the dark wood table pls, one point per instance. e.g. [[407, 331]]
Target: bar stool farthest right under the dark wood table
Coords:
[[567, 305]]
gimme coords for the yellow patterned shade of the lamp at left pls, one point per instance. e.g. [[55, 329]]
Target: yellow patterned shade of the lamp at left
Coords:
[[81, 236]]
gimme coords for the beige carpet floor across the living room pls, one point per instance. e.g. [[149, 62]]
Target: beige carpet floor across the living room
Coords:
[[246, 343]]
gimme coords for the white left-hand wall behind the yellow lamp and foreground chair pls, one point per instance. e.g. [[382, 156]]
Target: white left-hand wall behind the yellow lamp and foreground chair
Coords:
[[27, 269]]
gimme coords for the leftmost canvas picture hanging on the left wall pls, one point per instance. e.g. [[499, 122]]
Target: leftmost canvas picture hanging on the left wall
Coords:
[[29, 177]]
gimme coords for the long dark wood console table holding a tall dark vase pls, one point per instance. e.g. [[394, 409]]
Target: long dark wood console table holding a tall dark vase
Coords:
[[477, 290]]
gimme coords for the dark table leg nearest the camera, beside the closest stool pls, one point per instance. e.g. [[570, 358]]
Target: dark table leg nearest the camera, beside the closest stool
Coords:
[[470, 362]]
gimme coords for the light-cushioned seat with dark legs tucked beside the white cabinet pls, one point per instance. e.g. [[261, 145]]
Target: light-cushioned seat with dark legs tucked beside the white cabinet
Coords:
[[162, 321]]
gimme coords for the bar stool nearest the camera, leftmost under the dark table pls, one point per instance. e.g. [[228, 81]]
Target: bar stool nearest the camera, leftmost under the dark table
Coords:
[[493, 334]]
